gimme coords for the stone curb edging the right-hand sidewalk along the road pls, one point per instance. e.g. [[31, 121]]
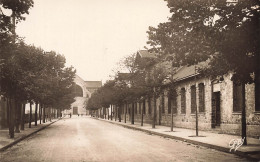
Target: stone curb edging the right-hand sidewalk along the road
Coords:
[[219, 148]]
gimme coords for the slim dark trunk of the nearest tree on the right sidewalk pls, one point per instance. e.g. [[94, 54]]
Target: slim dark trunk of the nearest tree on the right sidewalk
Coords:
[[243, 120]]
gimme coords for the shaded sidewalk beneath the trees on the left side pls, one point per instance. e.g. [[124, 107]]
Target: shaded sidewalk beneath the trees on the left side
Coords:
[[6, 141]]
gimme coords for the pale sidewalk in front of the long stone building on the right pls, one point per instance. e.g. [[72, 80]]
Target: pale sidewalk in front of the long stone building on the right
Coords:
[[207, 139]]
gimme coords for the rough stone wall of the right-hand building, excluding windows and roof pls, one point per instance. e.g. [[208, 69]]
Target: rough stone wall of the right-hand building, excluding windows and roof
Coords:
[[230, 122]]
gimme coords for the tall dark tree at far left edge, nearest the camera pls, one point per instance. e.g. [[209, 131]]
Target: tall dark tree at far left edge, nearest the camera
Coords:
[[18, 8]]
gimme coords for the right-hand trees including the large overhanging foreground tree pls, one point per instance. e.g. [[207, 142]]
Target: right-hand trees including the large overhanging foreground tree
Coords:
[[224, 33]]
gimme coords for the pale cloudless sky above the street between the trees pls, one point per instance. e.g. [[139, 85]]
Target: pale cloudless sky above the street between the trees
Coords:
[[93, 35]]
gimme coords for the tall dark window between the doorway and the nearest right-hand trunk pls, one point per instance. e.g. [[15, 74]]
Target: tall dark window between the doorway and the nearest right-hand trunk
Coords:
[[237, 97]]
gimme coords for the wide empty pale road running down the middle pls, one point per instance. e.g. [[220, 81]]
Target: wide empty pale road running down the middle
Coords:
[[87, 139]]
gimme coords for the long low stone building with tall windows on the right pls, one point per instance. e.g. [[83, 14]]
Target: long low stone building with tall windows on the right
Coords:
[[218, 101]]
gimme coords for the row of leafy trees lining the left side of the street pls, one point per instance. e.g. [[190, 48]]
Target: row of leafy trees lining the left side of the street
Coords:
[[29, 74]]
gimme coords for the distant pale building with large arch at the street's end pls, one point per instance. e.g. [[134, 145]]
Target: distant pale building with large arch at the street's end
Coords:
[[83, 90]]
